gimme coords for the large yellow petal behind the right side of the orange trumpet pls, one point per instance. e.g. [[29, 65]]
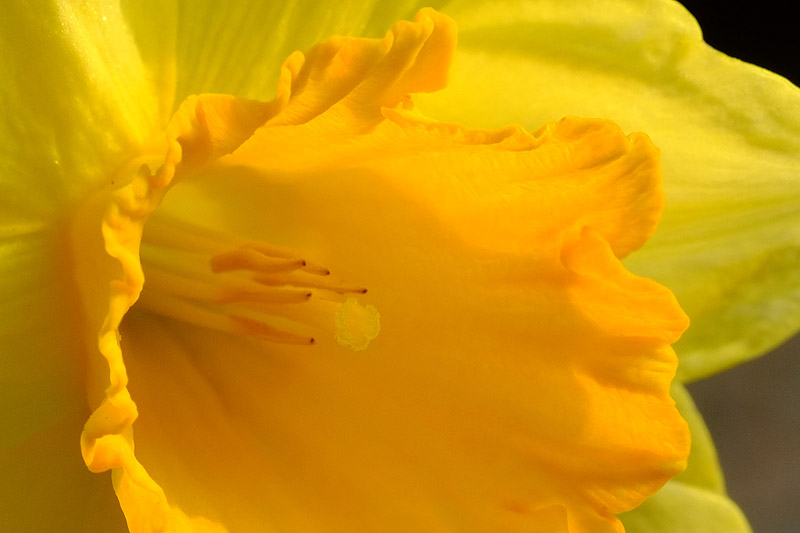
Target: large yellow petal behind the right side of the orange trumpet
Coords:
[[729, 134]]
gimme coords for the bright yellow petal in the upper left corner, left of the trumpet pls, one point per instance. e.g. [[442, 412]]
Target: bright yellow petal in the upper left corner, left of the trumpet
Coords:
[[78, 100]]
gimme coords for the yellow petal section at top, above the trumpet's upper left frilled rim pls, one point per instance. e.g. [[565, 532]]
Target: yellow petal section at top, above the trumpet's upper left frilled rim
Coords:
[[238, 47]]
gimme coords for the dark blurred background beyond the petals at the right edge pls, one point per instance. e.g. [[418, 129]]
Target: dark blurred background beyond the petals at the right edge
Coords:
[[753, 411]]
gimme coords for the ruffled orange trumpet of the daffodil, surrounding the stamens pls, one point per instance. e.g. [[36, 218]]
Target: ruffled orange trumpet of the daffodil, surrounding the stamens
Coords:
[[519, 368]]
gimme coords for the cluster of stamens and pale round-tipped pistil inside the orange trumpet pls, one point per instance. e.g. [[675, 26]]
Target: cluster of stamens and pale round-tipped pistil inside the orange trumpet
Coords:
[[219, 281]]
